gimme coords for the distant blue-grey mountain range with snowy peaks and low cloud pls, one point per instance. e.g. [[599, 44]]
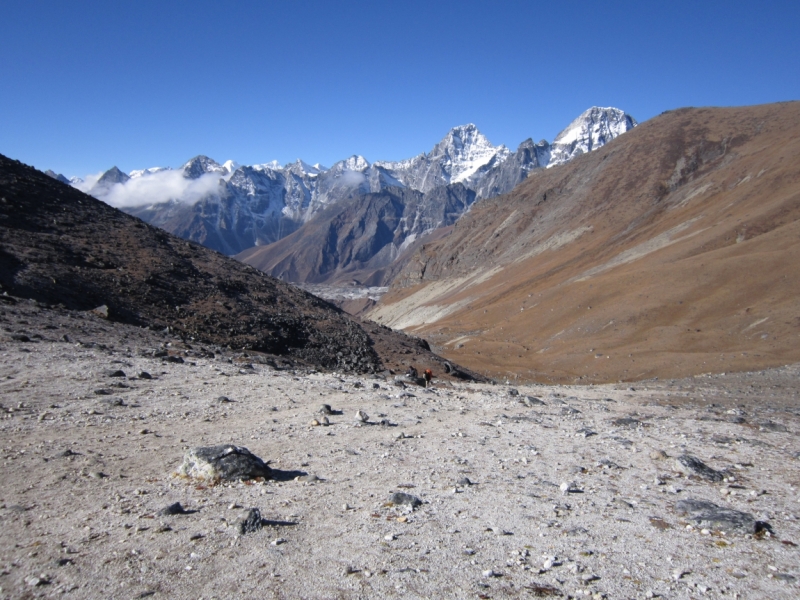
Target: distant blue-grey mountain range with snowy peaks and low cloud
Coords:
[[231, 208]]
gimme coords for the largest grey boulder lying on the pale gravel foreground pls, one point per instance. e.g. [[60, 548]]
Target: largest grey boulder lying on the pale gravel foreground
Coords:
[[223, 463]]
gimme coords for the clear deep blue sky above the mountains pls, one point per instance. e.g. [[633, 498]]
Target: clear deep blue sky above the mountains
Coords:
[[86, 85]]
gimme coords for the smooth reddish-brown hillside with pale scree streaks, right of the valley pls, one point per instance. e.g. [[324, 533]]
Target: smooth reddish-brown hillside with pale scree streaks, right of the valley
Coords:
[[671, 251]]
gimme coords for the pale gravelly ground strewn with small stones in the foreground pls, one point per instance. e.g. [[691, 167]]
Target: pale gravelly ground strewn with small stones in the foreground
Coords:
[[674, 489]]
